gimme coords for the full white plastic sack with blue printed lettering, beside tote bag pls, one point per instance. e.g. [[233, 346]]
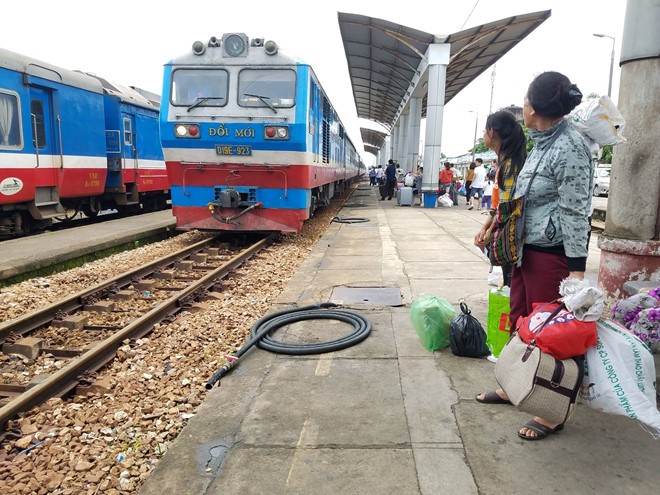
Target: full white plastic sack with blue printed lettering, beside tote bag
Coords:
[[619, 377]]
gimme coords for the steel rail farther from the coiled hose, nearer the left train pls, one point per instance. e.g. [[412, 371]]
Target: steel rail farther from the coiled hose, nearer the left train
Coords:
[[36, 319]]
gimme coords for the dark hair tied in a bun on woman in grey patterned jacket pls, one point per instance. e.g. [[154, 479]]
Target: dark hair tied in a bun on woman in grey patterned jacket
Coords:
[[551, 94]]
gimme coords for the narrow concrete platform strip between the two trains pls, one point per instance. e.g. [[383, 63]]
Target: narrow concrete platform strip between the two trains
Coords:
[[23, 255]]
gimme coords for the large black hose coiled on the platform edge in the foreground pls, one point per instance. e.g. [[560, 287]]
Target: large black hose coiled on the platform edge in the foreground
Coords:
[[263, 330]]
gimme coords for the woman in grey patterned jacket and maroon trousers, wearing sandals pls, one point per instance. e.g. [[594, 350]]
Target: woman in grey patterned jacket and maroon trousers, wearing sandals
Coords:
[[556, 229]]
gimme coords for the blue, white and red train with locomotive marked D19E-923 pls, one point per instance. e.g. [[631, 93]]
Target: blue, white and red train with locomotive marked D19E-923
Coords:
[[250, 138]]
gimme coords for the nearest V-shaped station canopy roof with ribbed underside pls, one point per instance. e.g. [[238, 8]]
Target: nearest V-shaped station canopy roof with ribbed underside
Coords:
[[384, 58]]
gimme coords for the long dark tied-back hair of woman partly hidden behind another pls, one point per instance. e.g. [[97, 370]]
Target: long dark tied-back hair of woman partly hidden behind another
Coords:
[[512, 143]]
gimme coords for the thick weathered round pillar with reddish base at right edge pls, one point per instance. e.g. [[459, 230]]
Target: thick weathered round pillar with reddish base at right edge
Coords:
[[630, 245]]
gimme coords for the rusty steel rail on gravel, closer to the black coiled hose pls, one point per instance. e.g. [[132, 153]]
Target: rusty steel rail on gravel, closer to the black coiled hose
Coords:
[[65, 379]]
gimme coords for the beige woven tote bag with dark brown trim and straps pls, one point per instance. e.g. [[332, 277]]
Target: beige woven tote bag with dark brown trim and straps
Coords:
[[536, 382]]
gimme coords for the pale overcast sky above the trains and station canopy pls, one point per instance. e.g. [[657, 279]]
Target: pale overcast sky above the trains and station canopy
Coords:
[[129, 42]]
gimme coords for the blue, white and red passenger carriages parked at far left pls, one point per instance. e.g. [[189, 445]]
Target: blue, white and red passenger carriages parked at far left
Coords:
[[72, 141]]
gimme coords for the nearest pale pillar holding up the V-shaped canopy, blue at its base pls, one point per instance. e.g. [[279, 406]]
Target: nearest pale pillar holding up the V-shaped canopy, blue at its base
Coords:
[[438, 57]]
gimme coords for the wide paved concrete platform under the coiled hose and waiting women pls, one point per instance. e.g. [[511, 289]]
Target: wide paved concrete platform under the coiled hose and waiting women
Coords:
[[387, 416]]
